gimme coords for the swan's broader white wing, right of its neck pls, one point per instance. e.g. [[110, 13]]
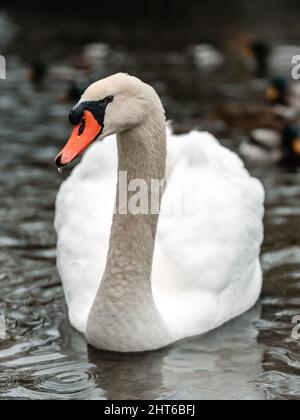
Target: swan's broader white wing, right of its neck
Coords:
[[209, 235]]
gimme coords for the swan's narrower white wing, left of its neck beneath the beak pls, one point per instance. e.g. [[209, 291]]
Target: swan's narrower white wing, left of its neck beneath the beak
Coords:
[[83, 219]]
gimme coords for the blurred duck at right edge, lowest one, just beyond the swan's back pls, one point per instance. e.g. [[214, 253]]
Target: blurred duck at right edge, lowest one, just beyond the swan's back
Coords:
[[272, 147]]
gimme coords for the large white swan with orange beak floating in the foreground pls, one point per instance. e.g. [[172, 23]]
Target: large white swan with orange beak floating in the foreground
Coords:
[[140, 290]]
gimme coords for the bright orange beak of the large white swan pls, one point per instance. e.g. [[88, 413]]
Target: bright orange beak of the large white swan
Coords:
[[83, 135]]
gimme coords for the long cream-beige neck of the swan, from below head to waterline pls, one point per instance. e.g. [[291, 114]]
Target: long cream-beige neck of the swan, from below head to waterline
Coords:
[[124, 315]]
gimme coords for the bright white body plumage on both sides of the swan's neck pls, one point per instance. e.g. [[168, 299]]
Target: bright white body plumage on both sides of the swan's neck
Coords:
[[206, 267]]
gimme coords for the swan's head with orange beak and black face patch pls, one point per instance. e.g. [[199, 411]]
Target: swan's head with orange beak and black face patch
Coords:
[[109, 106]]
